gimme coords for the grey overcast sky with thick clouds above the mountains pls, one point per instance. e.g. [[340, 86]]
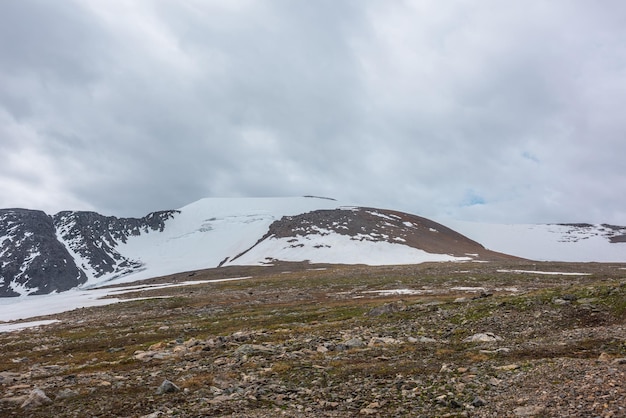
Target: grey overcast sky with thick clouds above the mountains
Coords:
[[476, 110]]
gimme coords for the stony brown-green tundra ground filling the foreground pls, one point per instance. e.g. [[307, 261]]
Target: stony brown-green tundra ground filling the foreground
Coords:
[[498, 339]]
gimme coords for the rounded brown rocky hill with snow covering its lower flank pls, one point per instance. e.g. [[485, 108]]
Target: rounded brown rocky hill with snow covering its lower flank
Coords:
[[362, 236]]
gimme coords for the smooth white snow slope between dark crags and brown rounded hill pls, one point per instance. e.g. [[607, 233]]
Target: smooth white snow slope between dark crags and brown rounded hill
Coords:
[[207, 233]]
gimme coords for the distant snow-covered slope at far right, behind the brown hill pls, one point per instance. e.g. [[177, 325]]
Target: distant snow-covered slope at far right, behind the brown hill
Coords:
[[550, 242]]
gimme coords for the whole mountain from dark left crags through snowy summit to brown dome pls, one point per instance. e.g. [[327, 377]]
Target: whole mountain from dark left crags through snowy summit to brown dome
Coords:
[[41, 254]]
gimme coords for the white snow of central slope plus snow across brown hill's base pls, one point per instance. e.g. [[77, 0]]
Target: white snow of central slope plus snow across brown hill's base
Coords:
[[213, 232]]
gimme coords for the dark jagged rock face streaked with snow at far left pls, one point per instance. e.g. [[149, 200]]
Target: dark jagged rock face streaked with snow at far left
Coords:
[[39, 253]]
